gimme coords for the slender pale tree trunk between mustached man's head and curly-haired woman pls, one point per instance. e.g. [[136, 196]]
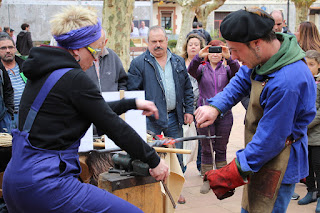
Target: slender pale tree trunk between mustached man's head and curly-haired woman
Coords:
[[186, 26]]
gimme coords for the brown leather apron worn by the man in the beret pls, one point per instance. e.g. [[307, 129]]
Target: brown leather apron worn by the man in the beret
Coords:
[[261, 192]]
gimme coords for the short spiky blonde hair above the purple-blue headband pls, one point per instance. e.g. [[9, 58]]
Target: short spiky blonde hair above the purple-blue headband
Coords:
[[72, 18]]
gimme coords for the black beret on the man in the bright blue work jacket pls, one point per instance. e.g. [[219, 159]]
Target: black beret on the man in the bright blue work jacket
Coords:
[[246, 25]]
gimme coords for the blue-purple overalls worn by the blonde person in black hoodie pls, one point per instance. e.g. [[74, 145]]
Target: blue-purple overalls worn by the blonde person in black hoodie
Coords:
[[40, 181]]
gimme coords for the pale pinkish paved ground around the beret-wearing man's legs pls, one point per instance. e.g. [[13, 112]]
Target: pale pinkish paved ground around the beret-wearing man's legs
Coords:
[[199, 203]]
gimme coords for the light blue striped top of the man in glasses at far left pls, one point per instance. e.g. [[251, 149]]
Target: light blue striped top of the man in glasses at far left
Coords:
[[17, 85]]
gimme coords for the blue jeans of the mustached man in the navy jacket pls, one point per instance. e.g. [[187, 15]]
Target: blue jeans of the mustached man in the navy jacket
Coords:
[[174, 130]]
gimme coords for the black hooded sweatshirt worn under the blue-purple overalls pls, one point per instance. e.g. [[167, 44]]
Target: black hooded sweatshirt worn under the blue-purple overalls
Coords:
[[72, 105]]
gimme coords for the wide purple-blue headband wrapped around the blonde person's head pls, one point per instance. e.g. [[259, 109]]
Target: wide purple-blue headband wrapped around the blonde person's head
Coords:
[[76, 39]]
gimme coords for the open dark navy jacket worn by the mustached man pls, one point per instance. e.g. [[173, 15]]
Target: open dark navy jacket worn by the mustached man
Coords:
[[144, 75]]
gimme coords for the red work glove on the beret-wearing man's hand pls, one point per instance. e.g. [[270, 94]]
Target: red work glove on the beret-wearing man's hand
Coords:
[[223, 181]]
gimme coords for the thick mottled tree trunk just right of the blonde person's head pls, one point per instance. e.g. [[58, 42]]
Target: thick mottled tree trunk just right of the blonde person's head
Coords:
[[117, 18]]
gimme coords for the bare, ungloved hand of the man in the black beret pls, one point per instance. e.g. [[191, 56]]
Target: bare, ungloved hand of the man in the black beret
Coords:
[[205, 116]]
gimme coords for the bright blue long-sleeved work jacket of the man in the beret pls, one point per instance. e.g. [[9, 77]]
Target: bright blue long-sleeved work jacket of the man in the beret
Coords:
[[288, 102]]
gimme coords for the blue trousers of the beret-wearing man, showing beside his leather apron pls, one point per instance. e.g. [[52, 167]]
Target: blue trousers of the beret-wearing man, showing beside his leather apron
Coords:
[[283, 199]]
